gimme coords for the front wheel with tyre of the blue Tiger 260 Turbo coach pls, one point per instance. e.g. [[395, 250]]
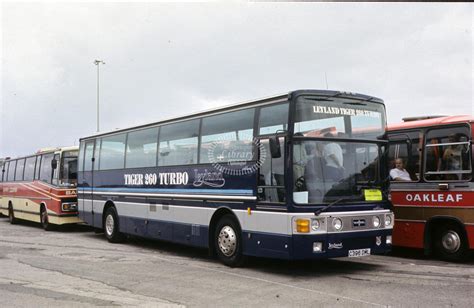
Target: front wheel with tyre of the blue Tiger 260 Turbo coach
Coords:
[[228, 241]]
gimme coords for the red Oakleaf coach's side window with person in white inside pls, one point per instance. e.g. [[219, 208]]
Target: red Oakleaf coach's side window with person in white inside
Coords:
[[404, 156]]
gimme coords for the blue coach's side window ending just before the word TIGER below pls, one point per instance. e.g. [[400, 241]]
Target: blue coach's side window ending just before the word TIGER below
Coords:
[[112, 152]]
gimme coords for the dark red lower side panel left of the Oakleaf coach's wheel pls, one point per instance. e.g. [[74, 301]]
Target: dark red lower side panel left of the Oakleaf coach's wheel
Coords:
[[408, 234]]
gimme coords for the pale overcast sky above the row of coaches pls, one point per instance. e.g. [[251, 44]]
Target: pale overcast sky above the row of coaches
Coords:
[[170, 59]]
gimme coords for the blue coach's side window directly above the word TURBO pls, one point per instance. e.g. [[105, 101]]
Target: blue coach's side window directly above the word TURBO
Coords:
[[179, 143]]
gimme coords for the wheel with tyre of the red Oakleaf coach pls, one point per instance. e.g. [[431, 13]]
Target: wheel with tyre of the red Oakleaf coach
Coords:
[[450, 243]]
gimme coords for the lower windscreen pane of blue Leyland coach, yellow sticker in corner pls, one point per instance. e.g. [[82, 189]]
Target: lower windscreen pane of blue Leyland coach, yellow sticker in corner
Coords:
[[326, 171]]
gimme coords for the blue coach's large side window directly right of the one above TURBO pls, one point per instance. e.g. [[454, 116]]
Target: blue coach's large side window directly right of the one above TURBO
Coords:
[[227, 137]]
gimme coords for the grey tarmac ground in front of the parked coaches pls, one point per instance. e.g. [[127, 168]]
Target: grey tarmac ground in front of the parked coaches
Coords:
[[75, 267]]
